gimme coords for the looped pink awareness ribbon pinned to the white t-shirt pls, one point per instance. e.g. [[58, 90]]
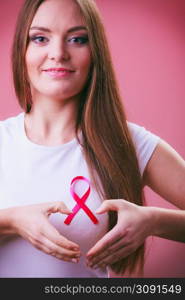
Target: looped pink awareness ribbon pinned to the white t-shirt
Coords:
[[80, 202]]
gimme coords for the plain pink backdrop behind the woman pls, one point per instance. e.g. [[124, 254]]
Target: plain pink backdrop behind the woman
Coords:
[[147, 41]]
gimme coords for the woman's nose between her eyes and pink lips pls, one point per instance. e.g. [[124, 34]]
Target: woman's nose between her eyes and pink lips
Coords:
[[58, 52]]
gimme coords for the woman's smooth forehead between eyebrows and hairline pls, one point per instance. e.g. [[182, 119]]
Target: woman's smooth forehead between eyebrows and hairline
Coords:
[[58, 13]]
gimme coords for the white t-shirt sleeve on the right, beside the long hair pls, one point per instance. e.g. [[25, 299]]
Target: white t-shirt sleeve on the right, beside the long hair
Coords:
[[145, 143]]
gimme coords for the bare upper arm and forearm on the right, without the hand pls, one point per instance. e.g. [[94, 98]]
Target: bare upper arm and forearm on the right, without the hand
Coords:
[[165, 174]]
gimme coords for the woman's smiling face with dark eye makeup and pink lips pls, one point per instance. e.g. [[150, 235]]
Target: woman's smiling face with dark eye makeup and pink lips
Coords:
[[58, 57]]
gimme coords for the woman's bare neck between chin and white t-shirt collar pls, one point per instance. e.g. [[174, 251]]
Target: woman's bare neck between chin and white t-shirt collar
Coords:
[[51, 123]]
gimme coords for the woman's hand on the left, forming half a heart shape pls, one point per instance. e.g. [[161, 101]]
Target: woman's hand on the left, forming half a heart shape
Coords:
[[31, 222]]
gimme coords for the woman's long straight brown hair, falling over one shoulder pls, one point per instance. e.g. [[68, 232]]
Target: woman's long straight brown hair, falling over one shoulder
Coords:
[[107, 144]]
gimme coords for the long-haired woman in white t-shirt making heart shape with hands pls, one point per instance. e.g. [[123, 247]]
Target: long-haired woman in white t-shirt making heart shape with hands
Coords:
[[72, 152]]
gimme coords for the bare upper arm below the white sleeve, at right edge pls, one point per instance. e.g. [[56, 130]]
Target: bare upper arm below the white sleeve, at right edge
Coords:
[[165, 174]]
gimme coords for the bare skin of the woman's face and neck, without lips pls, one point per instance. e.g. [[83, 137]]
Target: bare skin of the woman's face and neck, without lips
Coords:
[[55, 101]]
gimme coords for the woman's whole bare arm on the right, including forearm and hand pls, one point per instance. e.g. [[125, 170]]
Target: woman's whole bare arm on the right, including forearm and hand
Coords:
[[165, 174]]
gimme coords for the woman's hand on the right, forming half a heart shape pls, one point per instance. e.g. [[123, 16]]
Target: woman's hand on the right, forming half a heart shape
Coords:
[[134, 224]]
